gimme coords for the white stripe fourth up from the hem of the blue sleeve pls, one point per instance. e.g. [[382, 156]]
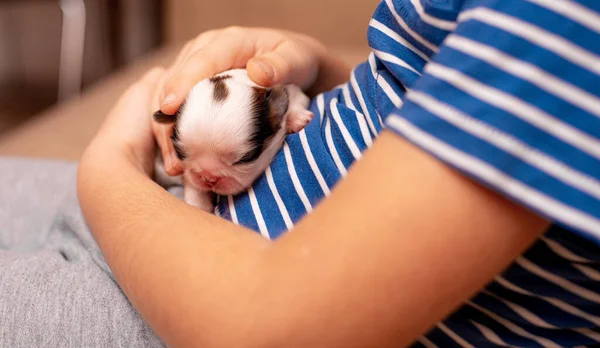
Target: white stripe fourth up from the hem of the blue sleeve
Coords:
[[528, 72]]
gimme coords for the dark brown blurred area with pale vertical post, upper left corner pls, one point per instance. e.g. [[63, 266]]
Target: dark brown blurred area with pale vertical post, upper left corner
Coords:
[[51, 50]]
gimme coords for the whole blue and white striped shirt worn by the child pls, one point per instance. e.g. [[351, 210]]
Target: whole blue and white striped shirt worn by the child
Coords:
[[507, 92]]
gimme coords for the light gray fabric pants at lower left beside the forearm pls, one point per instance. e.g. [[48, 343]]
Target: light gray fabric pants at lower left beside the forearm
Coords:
[[55, 287]]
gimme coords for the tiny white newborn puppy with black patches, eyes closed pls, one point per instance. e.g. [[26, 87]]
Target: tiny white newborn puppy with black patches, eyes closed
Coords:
[[228, 131]]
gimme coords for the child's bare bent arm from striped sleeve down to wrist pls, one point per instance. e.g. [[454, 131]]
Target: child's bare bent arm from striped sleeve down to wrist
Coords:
[[351, 274]]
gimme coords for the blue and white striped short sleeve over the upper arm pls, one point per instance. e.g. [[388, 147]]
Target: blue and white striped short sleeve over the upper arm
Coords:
[[512, 99]]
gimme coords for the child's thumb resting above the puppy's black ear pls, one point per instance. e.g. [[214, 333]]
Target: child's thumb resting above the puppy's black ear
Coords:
[[288, 63]]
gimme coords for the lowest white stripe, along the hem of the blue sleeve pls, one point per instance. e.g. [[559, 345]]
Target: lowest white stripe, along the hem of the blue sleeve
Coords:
[[489, 174]]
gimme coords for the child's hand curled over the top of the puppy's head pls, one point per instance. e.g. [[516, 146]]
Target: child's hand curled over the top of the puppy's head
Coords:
[[271, 57]]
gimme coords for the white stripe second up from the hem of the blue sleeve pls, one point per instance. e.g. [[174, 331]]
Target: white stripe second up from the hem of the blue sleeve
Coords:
[[508, 143]]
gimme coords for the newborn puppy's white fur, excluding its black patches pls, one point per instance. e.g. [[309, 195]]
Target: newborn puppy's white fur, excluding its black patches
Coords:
[[214, 135]]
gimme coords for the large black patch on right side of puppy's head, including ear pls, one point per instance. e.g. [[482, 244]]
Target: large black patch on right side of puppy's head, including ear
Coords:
[[267, 108]]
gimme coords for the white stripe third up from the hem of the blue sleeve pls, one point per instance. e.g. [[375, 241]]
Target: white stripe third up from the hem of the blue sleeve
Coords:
[[517, 108]]
